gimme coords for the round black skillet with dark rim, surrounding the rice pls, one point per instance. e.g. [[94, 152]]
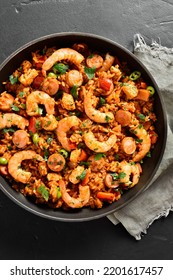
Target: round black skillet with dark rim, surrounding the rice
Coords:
[[149, 166]]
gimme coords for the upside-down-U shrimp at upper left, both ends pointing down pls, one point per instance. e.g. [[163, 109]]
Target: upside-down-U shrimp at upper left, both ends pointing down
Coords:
[[39, 97]]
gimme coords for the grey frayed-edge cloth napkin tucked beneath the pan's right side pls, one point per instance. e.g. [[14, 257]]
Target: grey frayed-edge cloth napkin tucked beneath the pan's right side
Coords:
[[157, 199]]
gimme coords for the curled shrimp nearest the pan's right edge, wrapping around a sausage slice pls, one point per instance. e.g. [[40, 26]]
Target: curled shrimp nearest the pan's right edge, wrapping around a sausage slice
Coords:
[[145, 144]]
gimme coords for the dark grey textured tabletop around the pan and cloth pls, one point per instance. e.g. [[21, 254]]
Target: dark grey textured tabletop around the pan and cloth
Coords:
[[25, 236]]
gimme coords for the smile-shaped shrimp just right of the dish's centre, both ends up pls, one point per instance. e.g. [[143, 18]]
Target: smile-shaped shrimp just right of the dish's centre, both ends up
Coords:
[[99, 147]]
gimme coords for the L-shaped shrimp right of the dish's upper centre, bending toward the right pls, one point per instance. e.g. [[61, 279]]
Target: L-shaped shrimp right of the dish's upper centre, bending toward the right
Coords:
[[93, 113]]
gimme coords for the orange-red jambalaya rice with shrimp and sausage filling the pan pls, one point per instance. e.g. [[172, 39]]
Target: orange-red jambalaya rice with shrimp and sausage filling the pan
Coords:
[[75, 127]]
